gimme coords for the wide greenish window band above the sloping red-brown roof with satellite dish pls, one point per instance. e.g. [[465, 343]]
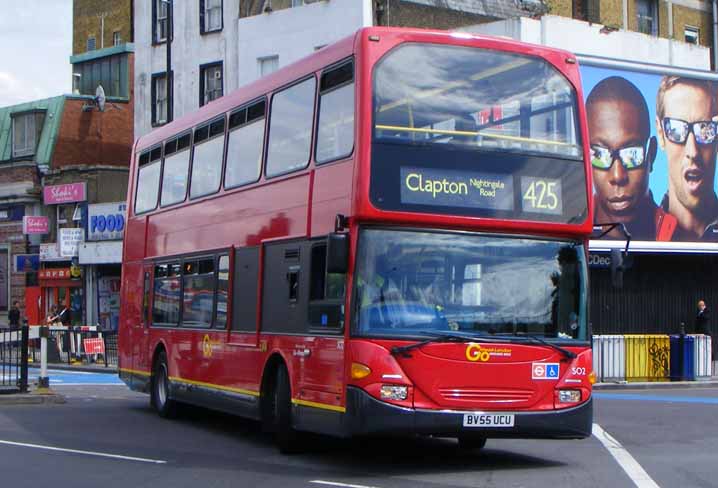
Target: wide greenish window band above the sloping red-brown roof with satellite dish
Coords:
[[111, 72]]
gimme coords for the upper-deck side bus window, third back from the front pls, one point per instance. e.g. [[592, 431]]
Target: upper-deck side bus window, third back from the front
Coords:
[[245, 145]]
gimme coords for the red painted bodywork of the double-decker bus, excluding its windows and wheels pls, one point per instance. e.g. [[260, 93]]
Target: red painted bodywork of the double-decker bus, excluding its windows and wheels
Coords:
[[233, 370]]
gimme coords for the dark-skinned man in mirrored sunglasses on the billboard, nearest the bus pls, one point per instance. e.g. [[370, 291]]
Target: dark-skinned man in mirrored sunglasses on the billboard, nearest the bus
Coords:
[[622, 154]]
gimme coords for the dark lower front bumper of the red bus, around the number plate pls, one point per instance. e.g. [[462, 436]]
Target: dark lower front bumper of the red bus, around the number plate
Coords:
[[366, 415]]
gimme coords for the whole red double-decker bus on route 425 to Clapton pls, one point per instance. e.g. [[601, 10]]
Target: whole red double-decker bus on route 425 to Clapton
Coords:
[[386, 237]]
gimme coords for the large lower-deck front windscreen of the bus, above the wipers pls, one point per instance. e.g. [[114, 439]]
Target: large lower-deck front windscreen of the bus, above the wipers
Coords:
[[412, 283]]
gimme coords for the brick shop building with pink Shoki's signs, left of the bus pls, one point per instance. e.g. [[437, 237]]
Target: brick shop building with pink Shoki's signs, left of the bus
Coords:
[[64, 158]]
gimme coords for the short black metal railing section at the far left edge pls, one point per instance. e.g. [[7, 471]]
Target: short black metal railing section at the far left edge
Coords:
[[13, 359]]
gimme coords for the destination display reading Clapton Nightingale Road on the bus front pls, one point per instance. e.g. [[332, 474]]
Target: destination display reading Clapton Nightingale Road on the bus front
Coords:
[[449, 188]]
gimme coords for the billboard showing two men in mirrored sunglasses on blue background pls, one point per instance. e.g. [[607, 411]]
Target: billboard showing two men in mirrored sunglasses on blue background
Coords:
[[653, 140]]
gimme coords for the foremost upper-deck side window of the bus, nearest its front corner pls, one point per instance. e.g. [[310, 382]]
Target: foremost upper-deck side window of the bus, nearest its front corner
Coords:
[[335, 136]]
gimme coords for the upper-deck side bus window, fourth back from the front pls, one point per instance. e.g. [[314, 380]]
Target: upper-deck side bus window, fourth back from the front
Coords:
[[207, 160]]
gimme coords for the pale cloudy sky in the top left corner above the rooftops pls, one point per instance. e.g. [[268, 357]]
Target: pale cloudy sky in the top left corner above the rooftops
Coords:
[[35, 49]]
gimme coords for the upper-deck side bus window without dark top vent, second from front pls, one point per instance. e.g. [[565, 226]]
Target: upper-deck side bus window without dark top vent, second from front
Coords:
[[290, 131]]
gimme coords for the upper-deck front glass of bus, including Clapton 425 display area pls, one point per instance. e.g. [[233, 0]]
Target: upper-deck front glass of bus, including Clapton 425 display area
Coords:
[[476, 132]]
